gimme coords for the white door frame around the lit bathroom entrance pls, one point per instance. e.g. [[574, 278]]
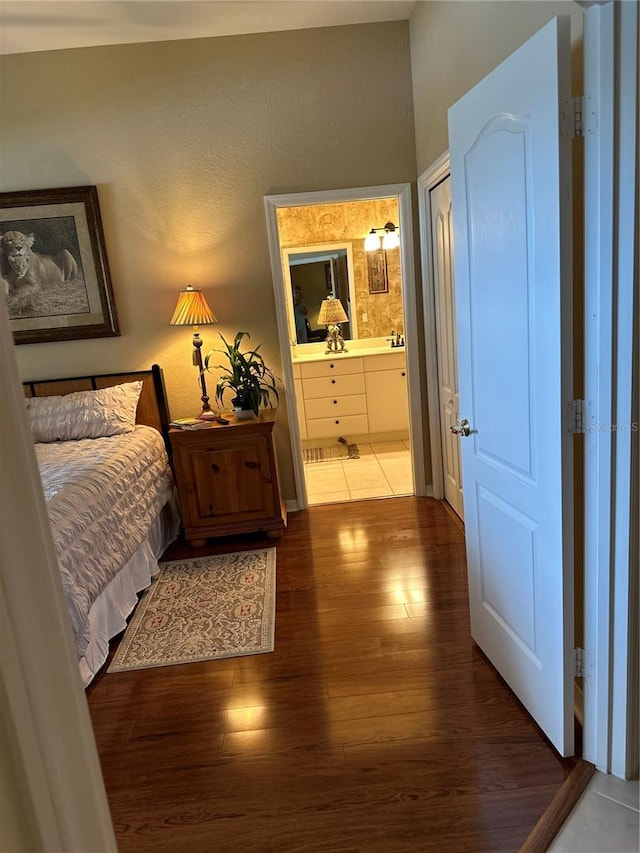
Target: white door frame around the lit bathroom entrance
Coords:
[[402, 193]]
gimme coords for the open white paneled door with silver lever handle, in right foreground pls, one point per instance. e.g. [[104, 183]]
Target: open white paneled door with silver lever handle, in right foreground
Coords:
[[510, 168]]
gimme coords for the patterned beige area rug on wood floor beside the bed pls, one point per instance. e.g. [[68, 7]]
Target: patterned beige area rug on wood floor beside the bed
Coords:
[[203, 608]]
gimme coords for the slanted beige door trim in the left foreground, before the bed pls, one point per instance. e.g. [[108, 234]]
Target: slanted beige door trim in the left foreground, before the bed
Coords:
[[43, 700]]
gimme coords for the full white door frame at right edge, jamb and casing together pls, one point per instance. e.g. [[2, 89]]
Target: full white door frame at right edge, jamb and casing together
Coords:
[[610, 219]]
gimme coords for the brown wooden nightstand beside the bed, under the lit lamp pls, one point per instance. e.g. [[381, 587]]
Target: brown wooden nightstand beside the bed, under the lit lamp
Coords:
[[227, 479]]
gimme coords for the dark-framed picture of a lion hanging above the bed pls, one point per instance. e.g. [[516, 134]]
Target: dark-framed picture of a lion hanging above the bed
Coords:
[[53, 266]]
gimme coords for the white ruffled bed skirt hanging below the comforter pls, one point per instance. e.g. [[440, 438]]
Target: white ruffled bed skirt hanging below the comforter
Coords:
[[108, 614]]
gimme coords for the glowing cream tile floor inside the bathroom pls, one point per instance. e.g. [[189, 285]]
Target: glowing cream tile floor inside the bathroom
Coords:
[[383, 470]]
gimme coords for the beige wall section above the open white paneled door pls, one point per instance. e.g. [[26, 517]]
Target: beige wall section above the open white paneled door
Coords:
[[455, 44]]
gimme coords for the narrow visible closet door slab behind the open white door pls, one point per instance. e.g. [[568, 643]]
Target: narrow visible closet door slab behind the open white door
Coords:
[[442, 241]]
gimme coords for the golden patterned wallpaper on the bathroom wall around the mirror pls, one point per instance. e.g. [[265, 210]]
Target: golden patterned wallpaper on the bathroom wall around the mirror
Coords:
[[351, 222]]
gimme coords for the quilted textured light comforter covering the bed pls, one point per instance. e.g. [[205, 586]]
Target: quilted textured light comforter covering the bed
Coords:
[[102, 494]]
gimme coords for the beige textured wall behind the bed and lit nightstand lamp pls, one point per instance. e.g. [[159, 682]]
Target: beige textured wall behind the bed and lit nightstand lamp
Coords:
[[183, 140]]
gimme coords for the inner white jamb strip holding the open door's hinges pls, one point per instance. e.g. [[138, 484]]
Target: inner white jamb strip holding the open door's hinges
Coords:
[[598, 202]]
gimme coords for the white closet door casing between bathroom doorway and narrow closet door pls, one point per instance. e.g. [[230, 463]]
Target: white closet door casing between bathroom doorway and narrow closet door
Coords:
[[429, 179]]
